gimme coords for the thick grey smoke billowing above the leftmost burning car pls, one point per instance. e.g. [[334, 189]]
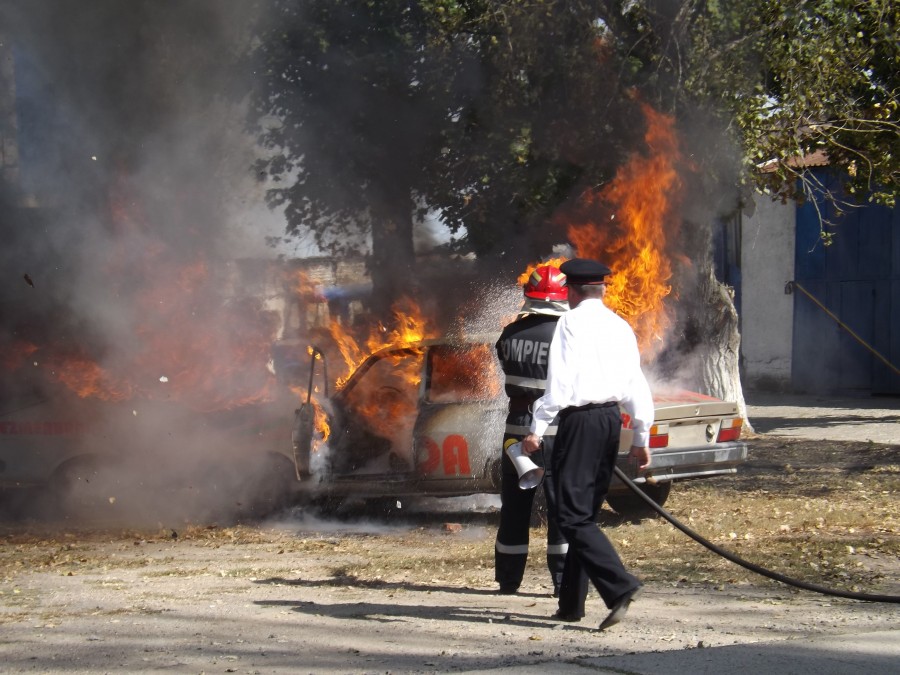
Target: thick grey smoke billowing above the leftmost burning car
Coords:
[[122, 310]]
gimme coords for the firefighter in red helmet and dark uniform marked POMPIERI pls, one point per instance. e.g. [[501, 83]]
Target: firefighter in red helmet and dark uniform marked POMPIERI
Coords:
[[523, 348]]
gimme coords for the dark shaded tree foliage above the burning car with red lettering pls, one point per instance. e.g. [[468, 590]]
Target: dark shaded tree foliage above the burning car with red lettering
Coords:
[[489, 113]]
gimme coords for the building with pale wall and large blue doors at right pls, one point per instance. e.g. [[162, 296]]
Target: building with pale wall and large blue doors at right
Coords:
[[816, 318]]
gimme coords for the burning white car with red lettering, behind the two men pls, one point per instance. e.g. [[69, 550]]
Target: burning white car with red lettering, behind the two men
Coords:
[[438, 421]]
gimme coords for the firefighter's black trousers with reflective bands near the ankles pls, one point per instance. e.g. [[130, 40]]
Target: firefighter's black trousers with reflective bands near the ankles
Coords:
[[511, 548]]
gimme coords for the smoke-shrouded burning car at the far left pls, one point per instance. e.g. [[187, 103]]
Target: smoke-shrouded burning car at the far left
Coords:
[[61, 454]]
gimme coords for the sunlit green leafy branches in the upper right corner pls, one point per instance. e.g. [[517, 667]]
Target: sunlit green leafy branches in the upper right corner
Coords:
[[829, 82]]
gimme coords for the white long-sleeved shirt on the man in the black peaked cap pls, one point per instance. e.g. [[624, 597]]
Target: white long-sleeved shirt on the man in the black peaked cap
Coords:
[[594, 358]]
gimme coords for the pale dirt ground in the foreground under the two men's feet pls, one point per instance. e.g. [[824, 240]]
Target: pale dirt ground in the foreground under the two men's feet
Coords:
[[284, 598]]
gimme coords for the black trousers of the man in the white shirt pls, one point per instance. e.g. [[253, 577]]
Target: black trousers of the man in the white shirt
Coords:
[[587, 442]]
